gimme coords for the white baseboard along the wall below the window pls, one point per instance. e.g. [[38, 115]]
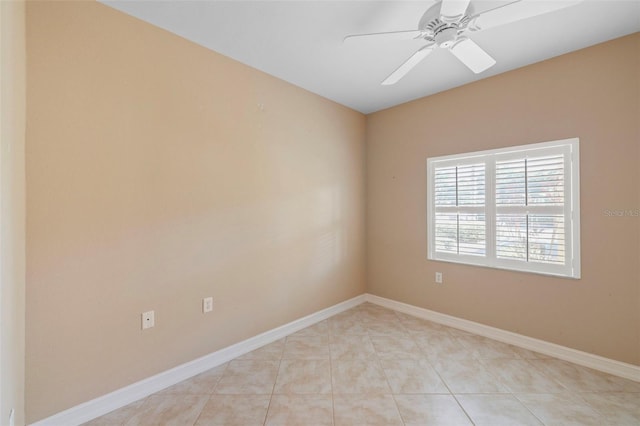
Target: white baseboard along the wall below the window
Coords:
[[617, 368]]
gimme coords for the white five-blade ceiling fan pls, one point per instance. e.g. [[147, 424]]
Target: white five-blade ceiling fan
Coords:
[[446, 24]]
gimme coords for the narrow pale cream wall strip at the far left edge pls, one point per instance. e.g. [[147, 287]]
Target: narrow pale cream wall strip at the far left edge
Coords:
[[12, 212]]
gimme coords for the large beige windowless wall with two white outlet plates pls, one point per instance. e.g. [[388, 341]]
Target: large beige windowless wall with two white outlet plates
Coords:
[[158, 173]]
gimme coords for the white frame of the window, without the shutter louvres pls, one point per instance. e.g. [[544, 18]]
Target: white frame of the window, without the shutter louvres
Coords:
[[570, 148]]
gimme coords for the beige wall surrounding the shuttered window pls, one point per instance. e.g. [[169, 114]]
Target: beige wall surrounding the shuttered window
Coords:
[[591, 94]]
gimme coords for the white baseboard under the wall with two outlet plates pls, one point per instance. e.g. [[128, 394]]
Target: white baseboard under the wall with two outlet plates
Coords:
[[102, 405]]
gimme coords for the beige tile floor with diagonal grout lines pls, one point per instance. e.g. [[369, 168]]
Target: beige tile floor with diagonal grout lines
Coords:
[[374, 366]]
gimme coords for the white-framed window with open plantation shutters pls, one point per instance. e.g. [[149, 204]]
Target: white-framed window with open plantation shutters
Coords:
[[513, 208]]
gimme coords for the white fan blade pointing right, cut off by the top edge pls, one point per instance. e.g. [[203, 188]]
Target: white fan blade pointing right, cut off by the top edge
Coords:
[[518, 10]]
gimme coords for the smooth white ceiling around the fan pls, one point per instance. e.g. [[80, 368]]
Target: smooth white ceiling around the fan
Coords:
[[301, 41]]
